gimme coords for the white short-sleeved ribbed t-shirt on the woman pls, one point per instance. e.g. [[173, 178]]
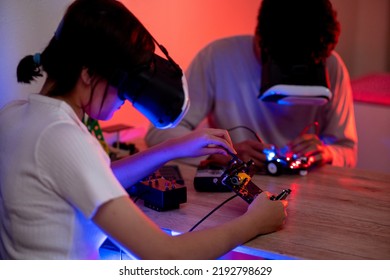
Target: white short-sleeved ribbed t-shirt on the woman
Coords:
[[54, 175]]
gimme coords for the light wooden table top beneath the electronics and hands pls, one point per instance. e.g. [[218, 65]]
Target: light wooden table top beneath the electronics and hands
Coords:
[[333, 213]]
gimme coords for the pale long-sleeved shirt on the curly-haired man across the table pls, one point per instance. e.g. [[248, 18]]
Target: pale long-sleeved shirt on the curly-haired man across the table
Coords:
[[224, 82]]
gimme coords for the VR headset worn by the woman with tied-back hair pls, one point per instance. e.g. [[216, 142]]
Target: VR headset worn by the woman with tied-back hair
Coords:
[[159, 91]]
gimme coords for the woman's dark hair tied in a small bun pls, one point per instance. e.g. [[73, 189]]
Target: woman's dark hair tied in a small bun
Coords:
[[100, 35]]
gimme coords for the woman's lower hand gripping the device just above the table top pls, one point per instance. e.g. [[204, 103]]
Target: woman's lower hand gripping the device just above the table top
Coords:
[[268, 215]]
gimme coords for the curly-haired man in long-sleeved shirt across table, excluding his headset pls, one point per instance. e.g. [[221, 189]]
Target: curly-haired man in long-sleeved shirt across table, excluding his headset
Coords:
[[224, 83]]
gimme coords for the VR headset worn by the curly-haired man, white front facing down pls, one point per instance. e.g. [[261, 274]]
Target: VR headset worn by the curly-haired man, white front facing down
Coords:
[[294, 84]]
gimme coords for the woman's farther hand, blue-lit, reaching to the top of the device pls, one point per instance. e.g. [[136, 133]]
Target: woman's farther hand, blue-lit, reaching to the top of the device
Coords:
[[202, 142]]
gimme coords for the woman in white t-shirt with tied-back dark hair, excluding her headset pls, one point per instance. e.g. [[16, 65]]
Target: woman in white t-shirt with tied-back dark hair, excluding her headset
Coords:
[[60, 197]]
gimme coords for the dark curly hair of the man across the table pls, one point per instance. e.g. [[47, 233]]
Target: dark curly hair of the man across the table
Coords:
[[297, 30]]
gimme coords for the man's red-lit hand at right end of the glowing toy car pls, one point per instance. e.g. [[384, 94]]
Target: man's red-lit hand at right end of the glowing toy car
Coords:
[[310, 146]]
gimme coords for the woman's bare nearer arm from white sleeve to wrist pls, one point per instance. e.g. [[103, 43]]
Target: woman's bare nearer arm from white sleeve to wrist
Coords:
[[129, 226]]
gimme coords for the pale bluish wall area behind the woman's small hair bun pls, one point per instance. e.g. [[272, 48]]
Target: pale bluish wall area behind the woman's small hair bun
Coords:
[[26, 27]]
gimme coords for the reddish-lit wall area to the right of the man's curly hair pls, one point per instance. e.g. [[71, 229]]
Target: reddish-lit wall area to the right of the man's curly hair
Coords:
[[365, 35]]
